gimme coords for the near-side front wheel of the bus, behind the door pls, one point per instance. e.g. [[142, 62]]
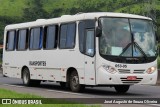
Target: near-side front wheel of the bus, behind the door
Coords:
[[75, 86]]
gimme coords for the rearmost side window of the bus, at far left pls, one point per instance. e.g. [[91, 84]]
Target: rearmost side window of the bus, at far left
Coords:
[[10, 40]]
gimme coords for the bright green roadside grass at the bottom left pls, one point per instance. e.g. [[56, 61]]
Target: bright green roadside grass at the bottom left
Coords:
[[12, 94]]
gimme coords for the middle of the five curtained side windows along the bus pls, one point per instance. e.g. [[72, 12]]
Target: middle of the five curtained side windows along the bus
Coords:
[[36, 38]]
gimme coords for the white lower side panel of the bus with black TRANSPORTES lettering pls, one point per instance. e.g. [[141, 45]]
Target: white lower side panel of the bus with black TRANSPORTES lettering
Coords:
[[57, 63]]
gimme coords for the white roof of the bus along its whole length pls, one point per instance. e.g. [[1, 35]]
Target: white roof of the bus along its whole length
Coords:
[[72, 18]]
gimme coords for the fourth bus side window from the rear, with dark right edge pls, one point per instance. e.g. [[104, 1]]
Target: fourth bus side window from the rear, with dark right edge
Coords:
[[50, 39]]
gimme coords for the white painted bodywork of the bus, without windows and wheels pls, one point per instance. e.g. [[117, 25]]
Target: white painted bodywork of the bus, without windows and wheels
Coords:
[[59, 60]]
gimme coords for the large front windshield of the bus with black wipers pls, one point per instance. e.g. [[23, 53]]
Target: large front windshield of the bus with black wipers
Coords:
[[127, 37]]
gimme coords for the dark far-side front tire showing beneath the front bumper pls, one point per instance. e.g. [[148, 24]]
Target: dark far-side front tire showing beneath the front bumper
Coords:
[[121, 88]]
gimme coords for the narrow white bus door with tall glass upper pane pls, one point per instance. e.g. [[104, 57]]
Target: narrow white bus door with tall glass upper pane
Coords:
[[89, 59]]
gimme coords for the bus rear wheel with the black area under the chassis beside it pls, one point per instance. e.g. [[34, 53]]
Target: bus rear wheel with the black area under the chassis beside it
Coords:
[[26, 79]]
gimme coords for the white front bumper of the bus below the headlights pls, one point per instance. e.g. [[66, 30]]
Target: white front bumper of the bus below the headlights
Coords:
[[106, 78]]
